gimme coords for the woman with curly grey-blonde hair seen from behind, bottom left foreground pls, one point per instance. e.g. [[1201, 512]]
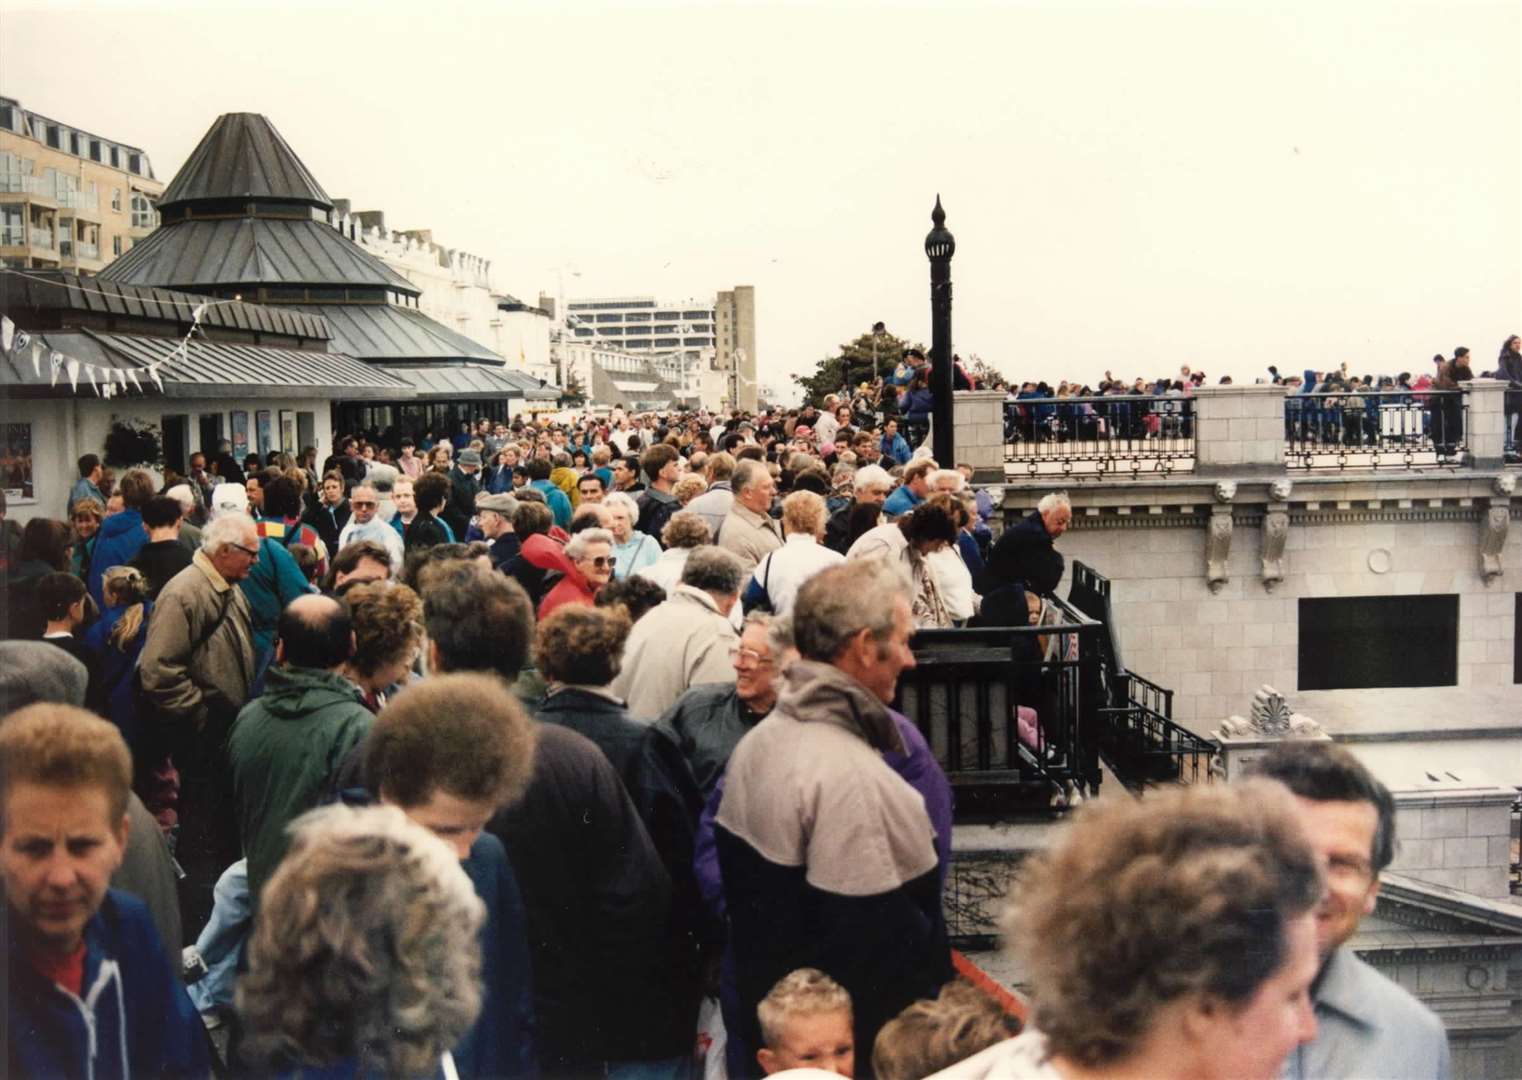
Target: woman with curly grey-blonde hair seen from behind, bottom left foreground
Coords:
[[365, 961]]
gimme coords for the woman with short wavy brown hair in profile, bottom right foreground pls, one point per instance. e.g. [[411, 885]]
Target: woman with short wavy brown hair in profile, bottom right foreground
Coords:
[[1170, 938]]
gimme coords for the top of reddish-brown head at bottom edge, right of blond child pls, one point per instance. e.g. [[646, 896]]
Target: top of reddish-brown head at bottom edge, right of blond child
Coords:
[[934, 1035]]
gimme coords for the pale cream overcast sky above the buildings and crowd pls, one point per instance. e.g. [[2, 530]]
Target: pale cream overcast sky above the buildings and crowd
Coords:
[[1133, 186]]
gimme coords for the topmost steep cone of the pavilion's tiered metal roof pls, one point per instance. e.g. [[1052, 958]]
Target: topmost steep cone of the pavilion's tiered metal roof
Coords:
[[244, 157]]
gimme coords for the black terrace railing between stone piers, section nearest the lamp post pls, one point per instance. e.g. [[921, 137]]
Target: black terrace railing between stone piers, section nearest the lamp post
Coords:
[[1116, 434]]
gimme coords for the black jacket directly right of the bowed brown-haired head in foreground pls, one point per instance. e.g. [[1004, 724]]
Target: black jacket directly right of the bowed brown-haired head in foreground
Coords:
[[599, 913]]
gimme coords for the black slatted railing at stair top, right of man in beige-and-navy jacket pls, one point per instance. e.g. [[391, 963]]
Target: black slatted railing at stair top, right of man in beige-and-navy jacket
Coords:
[[1010, 707]]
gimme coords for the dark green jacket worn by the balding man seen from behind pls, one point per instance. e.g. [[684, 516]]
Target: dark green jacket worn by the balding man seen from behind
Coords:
[[285, 749]]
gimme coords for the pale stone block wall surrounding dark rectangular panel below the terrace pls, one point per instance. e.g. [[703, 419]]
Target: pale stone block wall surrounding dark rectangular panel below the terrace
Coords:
[[1214, 647]]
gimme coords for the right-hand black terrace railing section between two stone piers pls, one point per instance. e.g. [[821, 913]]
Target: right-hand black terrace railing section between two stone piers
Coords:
[[1377, 430]]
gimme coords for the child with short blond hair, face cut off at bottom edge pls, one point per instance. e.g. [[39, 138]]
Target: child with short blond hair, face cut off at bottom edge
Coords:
[[806, 1023]]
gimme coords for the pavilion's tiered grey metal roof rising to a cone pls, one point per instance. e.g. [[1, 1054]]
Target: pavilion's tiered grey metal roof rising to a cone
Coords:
[[246, 218]]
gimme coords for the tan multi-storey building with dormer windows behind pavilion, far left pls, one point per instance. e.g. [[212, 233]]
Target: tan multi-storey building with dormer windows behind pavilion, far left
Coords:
[[69, 200]]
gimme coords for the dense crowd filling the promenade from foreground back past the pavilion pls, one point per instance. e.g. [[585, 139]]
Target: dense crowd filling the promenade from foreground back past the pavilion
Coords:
[[565, 748]]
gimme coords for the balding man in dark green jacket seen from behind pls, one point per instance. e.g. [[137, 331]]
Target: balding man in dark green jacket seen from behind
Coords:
[[287, 743]]
